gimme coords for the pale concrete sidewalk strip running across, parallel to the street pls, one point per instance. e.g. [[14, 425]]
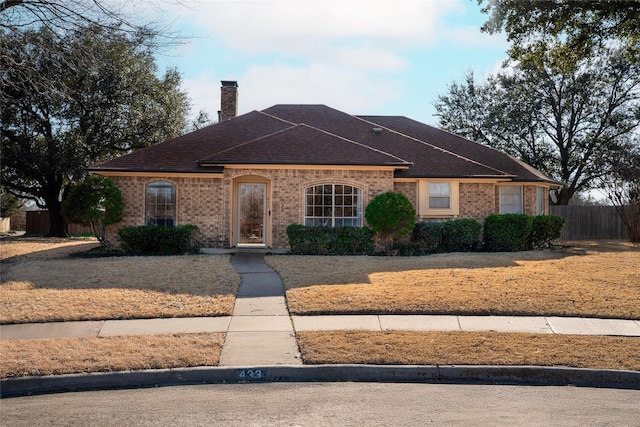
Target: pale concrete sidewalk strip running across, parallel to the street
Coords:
[[284, 323]]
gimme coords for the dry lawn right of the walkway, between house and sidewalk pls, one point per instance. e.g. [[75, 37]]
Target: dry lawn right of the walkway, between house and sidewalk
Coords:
[[588, 279]]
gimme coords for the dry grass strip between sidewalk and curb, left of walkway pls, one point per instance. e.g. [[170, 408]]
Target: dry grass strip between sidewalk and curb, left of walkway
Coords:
[[75, 355]]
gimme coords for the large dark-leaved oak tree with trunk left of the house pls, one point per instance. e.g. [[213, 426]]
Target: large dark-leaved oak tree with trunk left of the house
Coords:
[[88, 111]]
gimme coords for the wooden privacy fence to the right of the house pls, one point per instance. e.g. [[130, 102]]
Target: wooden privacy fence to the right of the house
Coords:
[[590, 222]]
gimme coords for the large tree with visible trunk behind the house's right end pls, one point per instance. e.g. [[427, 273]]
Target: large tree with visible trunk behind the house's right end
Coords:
[[568, 121]]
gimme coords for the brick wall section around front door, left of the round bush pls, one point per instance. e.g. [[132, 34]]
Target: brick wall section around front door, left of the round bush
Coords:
[[208, 203]]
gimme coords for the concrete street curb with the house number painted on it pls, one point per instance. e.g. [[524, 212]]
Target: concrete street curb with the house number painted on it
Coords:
[[489, 375]]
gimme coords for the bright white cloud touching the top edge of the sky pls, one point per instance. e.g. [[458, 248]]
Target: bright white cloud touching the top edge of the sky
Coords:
[[300, 27]]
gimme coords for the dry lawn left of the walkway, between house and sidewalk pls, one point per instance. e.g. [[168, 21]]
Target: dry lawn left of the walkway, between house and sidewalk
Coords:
[[41, 283]]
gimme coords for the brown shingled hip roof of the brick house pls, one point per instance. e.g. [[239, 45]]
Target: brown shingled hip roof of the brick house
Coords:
[[320, 135]]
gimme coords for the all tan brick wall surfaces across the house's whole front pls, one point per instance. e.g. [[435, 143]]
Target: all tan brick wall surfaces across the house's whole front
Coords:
[[208, 202]]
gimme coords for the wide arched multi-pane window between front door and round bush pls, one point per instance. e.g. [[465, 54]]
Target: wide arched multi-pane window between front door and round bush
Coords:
[[333, 205]]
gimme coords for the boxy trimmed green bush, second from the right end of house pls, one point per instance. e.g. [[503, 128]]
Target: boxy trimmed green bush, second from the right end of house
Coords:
[[507, 232]]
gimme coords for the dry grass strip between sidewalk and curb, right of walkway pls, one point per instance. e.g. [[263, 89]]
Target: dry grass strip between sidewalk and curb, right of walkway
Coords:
[[469, 348]]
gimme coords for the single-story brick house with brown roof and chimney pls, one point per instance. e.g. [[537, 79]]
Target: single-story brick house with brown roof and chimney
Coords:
[[245, 179]]
